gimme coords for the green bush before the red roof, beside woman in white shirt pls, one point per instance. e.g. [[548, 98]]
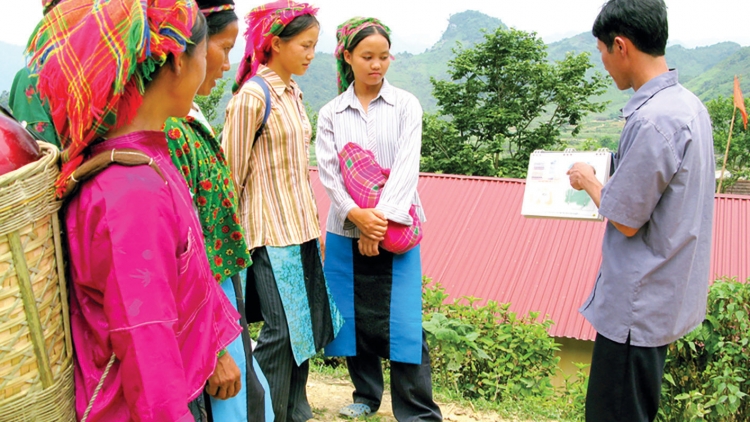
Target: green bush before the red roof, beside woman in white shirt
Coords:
[[487, 351]]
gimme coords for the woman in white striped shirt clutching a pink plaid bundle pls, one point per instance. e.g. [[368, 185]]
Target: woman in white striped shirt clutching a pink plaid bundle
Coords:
[[372, 132]]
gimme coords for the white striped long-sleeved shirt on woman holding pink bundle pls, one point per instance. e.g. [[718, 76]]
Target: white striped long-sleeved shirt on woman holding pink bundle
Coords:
[[392, 129]]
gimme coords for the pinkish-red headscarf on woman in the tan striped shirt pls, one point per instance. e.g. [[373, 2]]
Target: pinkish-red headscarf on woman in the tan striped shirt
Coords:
[[263, 23]]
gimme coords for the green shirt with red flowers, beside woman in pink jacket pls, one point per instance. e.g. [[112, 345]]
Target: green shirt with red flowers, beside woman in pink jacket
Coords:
[[199, 157]]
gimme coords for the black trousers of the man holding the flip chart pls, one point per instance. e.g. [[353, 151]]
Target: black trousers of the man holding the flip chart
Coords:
[[625, 381]]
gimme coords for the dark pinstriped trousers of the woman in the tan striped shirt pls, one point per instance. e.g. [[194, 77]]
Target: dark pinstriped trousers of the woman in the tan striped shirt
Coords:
[[273, 352]]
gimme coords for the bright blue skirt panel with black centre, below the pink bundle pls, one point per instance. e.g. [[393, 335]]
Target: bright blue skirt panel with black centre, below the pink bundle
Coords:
[[380, 299]]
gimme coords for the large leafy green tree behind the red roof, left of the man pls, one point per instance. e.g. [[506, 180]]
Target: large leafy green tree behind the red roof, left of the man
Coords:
[[504, 100]]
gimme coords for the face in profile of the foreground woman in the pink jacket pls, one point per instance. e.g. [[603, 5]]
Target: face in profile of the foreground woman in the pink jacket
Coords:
[[189, 76]]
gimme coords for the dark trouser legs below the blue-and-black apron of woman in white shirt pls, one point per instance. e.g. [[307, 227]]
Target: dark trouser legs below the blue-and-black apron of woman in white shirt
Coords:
[[411, 385]]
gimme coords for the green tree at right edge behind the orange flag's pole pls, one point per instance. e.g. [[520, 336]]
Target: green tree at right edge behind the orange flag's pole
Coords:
[[738, 161]]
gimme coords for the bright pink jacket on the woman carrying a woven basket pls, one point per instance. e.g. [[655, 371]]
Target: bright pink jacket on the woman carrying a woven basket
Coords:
[[142, 288]]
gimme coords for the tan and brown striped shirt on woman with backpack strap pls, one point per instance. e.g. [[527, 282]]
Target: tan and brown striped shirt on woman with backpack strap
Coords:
[[276, 201]]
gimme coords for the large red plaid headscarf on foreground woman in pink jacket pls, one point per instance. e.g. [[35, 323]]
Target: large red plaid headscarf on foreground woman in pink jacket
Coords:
[[93, 58]]
